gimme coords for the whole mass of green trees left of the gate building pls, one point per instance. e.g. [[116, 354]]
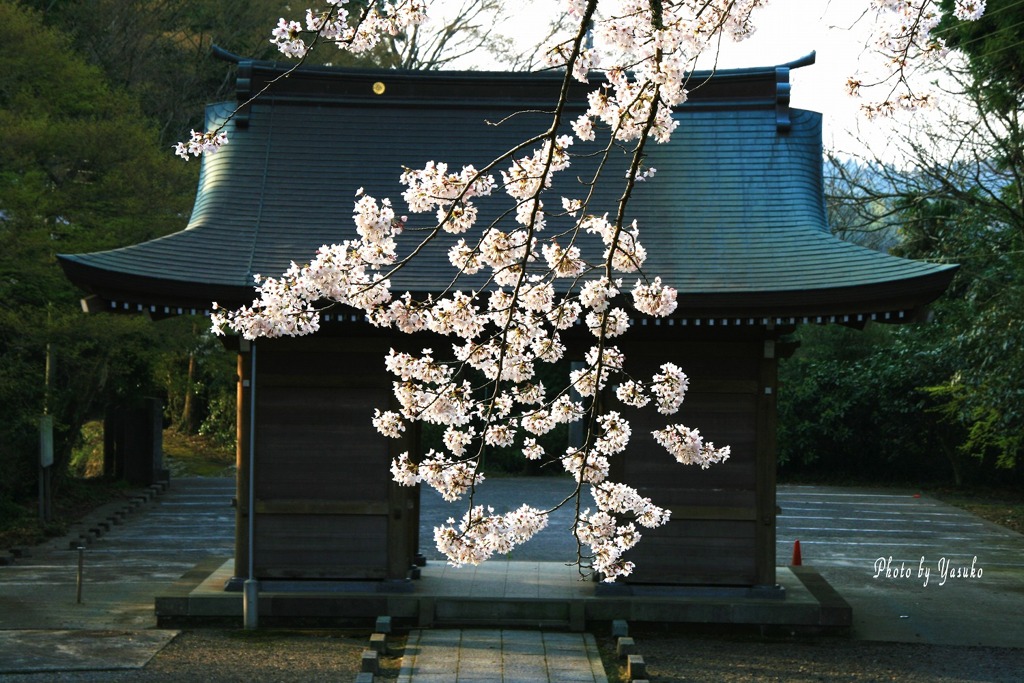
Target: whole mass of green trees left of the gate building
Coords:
[[93, 97]]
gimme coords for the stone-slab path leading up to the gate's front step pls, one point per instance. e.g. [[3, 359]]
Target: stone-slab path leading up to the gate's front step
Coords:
[[500, 657]]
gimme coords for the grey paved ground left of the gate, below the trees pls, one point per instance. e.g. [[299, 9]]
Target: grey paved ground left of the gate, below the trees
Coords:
[[143, 546]]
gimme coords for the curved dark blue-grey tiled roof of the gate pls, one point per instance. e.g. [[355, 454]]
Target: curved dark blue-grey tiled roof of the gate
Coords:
[[735, 219]]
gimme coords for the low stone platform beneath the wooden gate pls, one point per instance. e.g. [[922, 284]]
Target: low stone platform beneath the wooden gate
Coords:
[[504, 593]]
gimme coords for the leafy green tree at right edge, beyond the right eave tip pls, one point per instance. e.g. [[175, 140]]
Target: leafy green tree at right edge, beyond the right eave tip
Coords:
[[982, 323]]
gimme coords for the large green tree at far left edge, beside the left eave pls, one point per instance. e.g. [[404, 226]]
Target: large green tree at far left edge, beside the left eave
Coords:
[[80, 170]]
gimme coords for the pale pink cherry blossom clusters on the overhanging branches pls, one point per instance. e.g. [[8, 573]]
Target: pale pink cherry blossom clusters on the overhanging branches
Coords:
[[481, 383]]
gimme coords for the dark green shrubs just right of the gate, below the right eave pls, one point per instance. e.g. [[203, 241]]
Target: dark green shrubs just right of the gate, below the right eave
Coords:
[[850, 407]]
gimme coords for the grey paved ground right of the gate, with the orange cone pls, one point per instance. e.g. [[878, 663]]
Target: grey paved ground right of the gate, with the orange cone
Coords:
[[915, 570]]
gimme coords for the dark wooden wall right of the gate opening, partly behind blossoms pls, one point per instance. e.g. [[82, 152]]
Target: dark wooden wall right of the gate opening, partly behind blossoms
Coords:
[[722, 530]]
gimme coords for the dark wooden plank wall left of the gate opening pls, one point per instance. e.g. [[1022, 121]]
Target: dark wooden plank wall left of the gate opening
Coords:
[[326, 506]]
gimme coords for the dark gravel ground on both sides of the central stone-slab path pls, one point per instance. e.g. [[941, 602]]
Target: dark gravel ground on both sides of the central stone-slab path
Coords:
[[215, 656]]
